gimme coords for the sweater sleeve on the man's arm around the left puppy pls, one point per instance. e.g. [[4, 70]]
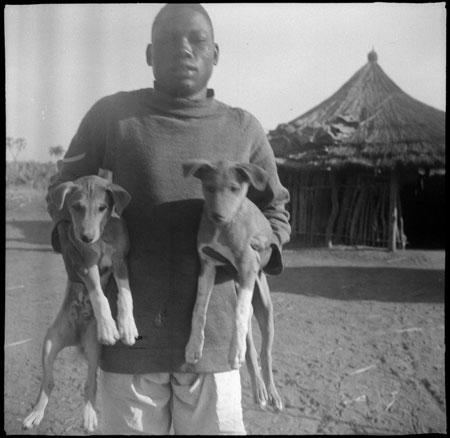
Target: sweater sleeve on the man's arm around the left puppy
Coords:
[[83, 157]]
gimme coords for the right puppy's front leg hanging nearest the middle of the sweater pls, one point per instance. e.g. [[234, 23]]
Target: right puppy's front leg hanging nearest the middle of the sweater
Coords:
[[206, 278]]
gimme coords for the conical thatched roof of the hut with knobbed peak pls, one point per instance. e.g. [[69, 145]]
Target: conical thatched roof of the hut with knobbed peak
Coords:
[[368, 122]]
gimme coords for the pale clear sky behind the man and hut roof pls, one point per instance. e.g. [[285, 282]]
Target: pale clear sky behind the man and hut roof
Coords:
[[277, 60]]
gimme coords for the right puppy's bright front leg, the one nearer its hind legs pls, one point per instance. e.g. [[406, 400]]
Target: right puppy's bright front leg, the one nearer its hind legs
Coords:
[[247, 269]]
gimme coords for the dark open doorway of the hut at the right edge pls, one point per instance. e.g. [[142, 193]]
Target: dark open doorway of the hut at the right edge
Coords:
[[423, 211]]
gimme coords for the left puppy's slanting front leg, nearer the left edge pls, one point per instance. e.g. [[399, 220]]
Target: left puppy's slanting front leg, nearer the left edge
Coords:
[[106, 327]]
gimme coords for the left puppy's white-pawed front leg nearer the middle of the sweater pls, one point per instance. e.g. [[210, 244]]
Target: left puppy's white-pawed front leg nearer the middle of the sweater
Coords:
[[125, 320]]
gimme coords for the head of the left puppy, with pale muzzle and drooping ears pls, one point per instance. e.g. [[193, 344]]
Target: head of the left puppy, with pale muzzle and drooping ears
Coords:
[[90, 201]]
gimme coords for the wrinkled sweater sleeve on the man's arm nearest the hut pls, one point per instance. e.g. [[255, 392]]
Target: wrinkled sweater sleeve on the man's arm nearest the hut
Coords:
[[273, 200]]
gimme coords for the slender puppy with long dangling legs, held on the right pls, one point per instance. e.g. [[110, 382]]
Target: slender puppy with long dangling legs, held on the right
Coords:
[[233, 231]]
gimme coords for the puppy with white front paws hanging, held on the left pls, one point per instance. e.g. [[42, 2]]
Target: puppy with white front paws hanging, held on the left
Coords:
[[98, 248]]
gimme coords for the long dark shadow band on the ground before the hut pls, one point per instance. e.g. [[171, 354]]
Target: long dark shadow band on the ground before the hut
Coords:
[[361, 283]]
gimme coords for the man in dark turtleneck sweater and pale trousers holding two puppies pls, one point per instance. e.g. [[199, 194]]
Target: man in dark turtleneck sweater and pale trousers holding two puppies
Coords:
[[143, 136]]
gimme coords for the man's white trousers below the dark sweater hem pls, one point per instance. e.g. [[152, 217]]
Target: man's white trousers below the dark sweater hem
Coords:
[[194, 404]]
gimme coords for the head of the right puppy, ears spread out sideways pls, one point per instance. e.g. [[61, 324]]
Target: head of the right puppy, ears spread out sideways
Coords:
[[225, 185]]
